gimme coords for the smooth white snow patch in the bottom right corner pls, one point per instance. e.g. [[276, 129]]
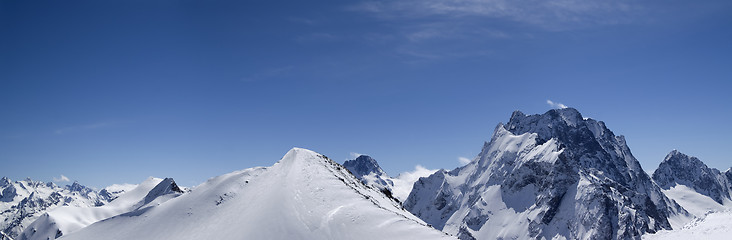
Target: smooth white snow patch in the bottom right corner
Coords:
[[716, 225]]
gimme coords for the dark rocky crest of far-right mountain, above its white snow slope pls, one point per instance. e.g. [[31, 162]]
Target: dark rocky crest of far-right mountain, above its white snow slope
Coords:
[[681, 169]]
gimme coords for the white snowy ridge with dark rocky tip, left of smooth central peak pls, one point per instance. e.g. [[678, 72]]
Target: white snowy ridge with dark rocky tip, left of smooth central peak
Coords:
[[67, 219]]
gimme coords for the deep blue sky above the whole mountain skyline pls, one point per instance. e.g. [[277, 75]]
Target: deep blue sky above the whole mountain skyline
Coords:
[[110, 92]]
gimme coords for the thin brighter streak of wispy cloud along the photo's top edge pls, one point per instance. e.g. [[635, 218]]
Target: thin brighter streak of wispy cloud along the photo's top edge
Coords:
[[548, 15]]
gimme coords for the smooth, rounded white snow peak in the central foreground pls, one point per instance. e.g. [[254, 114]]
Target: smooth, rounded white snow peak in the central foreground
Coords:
[[303, 196]]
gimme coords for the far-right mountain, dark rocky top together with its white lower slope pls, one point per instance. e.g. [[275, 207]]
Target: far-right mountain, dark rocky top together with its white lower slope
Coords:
[[691, 183]]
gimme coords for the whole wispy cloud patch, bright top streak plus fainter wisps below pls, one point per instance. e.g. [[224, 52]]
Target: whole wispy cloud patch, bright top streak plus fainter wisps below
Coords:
[[431, 30]]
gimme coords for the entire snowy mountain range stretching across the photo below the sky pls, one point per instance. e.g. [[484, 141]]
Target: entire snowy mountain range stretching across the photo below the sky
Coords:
[[556, 175]]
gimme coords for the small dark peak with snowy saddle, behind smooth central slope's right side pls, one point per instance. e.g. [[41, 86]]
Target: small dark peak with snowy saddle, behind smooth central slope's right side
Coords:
[[370, 173]]
